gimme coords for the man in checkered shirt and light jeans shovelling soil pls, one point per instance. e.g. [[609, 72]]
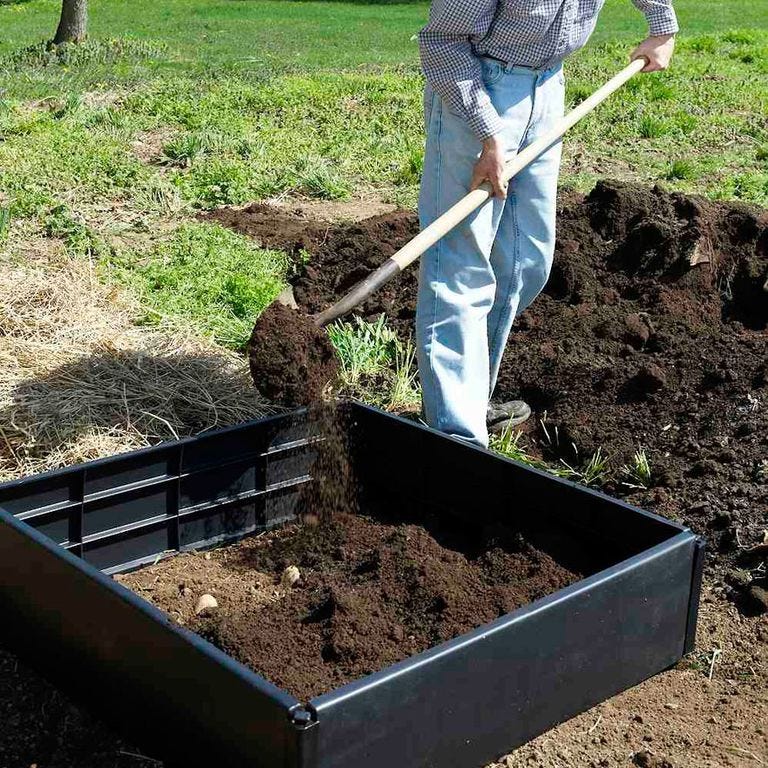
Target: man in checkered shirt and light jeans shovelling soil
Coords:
[[494, 84]]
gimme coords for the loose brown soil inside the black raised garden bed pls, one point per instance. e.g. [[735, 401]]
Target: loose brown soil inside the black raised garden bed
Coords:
[[373, 591]]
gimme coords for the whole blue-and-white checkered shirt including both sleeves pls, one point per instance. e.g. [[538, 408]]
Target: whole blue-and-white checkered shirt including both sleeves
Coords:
[[528, 33]]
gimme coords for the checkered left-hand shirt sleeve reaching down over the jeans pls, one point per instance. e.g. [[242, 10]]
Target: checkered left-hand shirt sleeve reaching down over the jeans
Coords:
[[450, 65]]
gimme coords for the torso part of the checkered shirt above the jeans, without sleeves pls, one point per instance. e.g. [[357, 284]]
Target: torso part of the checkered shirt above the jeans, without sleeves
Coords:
[[538, 33]]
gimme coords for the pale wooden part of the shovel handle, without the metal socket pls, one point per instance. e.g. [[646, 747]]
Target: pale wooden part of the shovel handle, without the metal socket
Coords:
[[453, 216]]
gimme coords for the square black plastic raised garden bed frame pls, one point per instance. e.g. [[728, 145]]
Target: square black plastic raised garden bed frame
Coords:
[[459, 704]]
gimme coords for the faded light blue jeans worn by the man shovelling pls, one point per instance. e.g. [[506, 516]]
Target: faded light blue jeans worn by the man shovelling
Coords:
[[479, 277]]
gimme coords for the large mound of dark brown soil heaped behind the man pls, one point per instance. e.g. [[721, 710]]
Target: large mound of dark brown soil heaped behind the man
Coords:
[[651, 334]]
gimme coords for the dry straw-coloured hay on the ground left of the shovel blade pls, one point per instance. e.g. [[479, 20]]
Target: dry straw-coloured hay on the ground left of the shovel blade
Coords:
[[79, 380]]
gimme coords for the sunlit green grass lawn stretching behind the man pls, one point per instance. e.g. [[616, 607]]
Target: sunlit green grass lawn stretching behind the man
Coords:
[[184, 105]]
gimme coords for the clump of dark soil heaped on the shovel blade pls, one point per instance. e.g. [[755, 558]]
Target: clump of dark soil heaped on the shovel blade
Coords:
[[291, 359]]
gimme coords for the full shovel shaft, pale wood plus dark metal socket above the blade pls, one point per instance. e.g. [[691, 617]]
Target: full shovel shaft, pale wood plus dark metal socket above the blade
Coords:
[[458, 212]]
